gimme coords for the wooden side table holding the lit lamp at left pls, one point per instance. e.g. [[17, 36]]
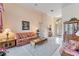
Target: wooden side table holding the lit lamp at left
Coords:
[[7, 44]]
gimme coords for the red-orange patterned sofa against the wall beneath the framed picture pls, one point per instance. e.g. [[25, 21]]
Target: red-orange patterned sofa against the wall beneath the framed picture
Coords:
[[24, 38]]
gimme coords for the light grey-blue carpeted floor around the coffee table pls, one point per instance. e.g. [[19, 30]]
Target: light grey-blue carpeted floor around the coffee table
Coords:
[[46, 49]]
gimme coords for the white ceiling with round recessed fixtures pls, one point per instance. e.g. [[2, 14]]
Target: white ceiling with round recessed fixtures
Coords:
[[53, 9]]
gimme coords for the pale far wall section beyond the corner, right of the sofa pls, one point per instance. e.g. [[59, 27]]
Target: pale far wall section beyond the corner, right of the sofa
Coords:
[[47, 20]]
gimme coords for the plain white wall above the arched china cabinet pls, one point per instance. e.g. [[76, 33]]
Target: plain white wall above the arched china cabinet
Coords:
[[70, 11]]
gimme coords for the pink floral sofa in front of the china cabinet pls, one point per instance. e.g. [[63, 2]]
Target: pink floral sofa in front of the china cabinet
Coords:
[[70, 48]]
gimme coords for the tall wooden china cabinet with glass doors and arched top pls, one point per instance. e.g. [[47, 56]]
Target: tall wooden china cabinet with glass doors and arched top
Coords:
[[70, 28]]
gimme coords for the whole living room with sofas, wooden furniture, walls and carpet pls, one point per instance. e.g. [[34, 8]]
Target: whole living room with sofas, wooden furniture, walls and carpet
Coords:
[[39, 29]]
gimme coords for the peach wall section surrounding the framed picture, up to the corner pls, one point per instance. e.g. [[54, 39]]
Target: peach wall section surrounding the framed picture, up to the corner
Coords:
[[14, 14]]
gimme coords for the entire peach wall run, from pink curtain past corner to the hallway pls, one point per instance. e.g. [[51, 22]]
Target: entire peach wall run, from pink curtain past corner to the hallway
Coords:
[[15, 13]]
